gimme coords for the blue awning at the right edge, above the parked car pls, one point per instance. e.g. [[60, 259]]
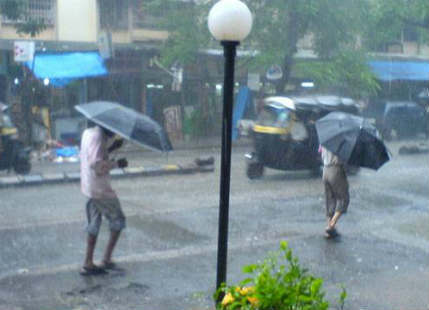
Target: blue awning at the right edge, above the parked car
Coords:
[[401, 70]]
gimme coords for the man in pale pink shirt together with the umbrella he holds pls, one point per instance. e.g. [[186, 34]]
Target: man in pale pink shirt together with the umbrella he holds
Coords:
[[111, 118]]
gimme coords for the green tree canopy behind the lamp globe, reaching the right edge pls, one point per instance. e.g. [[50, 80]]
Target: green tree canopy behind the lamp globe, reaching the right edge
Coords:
[[341, 33]]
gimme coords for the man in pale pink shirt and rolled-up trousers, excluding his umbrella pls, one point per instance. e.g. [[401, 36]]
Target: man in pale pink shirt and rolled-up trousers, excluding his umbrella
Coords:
[[102, 199]]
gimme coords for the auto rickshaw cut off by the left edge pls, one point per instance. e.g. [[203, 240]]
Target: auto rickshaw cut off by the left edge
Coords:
[[13, 154]]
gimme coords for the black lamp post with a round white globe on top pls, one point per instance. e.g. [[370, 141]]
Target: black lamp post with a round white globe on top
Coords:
[[230, 22]]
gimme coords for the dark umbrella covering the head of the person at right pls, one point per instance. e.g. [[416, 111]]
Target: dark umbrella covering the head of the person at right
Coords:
[[353, 139]]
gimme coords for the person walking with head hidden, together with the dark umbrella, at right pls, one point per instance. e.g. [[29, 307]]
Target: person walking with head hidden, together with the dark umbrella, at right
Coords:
[[351, 140]]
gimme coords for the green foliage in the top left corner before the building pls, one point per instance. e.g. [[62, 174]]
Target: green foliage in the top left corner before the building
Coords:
[[16, 10]]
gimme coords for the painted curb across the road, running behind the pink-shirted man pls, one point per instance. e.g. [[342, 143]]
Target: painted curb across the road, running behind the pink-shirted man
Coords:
[[70, 177]]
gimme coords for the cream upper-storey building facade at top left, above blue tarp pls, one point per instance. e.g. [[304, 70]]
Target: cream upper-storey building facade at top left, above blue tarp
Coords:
[[81, 21]]
